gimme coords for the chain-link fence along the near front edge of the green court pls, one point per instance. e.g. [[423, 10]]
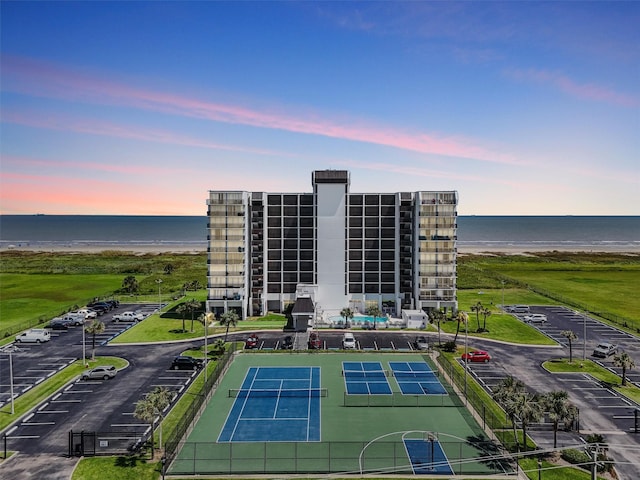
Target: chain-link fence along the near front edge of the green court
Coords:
[[465, 457]]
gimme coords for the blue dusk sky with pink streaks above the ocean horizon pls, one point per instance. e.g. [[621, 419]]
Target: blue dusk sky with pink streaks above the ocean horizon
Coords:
[[141, 108]]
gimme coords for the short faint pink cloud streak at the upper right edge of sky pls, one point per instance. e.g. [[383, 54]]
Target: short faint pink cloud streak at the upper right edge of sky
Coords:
[[565, 84]]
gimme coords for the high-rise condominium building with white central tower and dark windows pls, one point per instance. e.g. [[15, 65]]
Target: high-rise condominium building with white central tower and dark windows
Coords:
[[396, 251]]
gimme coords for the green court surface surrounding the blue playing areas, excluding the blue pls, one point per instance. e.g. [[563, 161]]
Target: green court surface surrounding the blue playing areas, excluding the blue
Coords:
[[357, 435]]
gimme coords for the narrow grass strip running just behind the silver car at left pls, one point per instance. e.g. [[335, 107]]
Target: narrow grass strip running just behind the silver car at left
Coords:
[[37, 394]]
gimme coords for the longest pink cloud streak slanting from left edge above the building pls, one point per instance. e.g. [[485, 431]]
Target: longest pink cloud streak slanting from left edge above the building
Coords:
[[38, 79]]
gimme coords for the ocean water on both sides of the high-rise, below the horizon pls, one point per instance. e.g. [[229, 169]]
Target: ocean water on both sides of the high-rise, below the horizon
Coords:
[[492, 232]]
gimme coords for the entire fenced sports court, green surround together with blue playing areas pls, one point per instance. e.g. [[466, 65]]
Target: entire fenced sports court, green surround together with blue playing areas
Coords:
[[285, 413]]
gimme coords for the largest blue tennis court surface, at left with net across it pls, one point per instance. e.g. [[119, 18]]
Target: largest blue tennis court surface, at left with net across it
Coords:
[[277, 404]]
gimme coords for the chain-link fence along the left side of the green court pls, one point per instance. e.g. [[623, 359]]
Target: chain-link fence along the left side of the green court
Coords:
[[201, 397]]
